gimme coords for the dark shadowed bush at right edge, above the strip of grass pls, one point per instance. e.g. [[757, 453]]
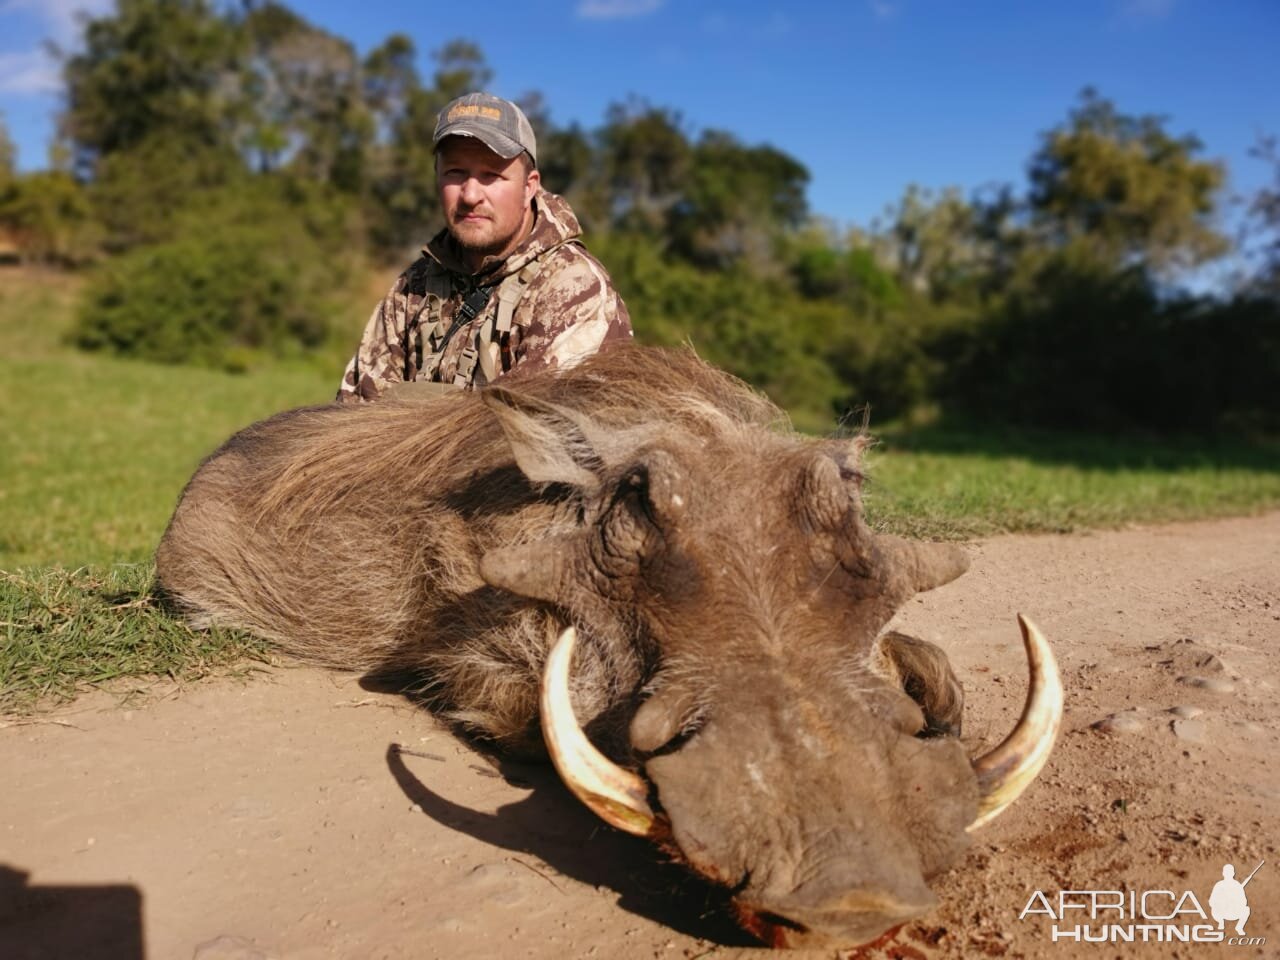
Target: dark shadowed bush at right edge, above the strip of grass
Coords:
[[1078, 344]]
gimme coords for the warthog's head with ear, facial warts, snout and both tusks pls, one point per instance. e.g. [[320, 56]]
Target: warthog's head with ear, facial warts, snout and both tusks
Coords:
[[781, 746]]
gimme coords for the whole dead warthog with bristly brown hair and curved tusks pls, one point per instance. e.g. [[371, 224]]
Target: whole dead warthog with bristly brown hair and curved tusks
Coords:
[[715, 570]]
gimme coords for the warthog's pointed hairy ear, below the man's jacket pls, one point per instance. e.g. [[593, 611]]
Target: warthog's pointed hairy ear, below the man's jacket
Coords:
[[552, 445]]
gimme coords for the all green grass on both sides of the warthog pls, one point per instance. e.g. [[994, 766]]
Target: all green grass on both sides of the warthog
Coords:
[[97, 451]]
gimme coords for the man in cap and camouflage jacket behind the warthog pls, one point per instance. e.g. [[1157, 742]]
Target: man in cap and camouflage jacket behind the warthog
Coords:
[[505, 286]]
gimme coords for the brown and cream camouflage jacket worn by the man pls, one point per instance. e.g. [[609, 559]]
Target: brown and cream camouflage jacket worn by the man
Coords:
[[552, 304]]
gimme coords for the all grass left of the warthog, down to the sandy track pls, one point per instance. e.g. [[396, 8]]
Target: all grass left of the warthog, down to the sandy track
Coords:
[[94, 456]]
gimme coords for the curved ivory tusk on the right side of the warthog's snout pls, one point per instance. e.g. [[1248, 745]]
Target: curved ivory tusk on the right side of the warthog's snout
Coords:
[[1009, 770]]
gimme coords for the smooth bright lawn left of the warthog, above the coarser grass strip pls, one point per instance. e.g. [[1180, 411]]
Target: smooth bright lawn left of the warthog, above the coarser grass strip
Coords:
[[98, 450]]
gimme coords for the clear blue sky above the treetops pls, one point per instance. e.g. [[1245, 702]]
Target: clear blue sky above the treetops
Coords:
[[871, 95]]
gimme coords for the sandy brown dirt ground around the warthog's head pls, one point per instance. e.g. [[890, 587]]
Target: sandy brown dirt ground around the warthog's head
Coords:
[[308, 816]]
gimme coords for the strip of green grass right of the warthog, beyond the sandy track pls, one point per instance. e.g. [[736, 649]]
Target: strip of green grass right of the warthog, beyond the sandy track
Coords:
[[959, 483]]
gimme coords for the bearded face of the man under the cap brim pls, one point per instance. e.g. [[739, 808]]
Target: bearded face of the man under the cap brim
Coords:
[[484, 198]]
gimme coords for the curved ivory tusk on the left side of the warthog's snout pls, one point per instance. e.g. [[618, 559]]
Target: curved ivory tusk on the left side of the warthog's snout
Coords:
[[616, 796]]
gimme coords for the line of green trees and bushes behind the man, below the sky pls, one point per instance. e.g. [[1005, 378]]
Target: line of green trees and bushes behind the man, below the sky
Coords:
[[230, 173]]
